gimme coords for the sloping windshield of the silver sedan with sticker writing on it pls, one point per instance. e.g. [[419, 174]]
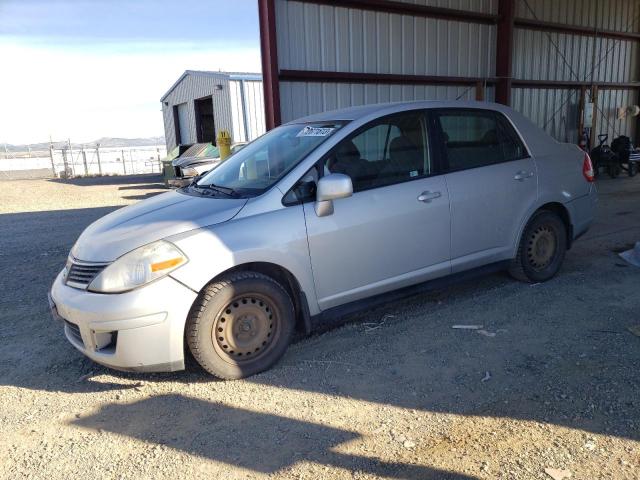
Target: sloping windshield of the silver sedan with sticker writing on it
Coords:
[[260, 164]]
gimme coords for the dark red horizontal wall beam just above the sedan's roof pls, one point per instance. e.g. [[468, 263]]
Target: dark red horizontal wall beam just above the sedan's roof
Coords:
[[375, 78]]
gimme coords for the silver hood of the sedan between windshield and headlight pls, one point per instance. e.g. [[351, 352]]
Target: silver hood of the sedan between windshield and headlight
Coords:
[[158, 217]]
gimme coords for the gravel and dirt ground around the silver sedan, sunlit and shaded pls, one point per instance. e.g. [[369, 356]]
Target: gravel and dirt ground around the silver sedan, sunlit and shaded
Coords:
[[397, 393]]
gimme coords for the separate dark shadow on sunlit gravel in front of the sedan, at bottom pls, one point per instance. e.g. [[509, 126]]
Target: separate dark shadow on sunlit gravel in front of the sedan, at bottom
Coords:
[[261, 442]]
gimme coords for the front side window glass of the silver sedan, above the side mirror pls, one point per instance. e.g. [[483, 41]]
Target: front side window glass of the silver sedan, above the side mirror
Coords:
[[391, 150]]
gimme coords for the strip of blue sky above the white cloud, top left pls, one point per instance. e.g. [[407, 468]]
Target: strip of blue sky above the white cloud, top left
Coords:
[[97, 21]]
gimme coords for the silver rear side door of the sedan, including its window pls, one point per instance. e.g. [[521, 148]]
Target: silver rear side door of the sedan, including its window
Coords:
[[492, 183]]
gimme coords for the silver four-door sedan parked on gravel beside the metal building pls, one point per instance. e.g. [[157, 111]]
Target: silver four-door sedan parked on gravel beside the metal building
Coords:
[[318, 218]]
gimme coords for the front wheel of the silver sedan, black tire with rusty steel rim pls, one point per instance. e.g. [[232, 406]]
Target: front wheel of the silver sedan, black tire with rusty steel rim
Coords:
[[240, 325]]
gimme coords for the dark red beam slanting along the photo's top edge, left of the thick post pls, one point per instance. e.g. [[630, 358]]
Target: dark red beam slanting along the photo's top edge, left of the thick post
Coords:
[[403, 8]]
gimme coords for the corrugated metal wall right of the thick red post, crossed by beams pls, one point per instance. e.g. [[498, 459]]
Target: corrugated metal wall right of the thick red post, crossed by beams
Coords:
[[542, 55]]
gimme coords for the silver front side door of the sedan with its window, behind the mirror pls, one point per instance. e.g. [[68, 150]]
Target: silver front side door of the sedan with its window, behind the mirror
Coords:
[[394, 231]]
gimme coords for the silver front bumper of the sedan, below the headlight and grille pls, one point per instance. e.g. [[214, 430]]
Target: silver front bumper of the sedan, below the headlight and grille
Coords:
[[141, 330]]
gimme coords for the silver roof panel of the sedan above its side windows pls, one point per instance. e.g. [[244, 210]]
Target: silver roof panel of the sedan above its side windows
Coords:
[[355, 113]]
